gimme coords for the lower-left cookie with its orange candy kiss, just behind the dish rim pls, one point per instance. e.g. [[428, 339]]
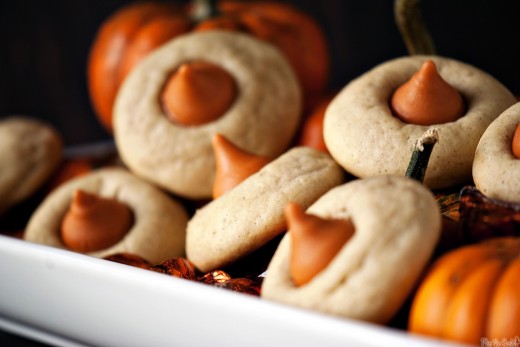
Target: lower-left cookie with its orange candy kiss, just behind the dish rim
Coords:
[[153, 224]]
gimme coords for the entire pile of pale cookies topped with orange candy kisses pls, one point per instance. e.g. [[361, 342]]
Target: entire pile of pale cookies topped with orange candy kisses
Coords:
[[200, 85]]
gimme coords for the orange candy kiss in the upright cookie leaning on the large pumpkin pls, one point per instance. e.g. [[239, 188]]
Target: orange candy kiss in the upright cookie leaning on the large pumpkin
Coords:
[[198, 93]]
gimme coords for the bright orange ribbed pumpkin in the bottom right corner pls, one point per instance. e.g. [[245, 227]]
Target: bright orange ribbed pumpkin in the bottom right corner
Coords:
[[471, 294]]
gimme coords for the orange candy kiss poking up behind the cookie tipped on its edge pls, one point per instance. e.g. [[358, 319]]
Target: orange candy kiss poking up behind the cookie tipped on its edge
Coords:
[[233, 165]]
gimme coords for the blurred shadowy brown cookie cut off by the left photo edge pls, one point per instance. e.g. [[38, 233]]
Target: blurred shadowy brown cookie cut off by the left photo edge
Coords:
[[30, 151]]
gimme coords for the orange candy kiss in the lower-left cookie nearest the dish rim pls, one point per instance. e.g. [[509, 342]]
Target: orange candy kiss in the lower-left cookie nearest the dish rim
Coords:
[[93, 223]]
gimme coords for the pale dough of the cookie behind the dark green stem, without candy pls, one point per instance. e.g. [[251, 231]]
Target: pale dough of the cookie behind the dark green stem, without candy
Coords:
[[367, 140]]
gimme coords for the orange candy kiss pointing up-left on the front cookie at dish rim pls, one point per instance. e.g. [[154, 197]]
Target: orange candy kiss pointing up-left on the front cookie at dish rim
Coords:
[[315, 242]]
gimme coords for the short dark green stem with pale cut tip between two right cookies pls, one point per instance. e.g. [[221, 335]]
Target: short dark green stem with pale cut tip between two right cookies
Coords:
[[421, 154]]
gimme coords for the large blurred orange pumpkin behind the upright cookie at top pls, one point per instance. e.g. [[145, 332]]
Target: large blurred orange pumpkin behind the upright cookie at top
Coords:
[[136, 29]]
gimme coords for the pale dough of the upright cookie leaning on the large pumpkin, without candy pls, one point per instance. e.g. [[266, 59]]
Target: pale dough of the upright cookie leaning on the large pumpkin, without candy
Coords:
[[262, 120]]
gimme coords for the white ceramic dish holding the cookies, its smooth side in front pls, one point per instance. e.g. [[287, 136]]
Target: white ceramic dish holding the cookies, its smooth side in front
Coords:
[[64, 298]]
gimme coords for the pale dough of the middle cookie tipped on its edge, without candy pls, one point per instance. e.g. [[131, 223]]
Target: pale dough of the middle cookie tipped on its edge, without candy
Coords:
[[251, 214]]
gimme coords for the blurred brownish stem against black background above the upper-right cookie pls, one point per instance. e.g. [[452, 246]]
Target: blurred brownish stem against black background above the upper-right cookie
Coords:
[[413, 30]]
